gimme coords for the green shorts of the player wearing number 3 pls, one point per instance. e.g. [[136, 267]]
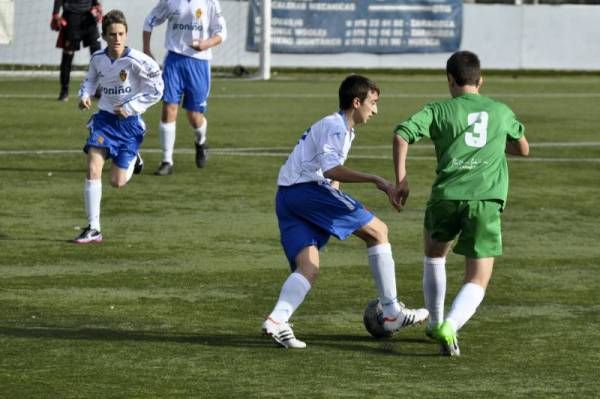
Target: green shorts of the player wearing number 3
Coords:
[[476, 223]]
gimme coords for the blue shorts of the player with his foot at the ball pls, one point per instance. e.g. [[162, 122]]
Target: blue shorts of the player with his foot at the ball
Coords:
[[309, 213]]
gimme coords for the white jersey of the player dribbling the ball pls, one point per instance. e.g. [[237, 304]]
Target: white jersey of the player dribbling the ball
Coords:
[[323, 146]]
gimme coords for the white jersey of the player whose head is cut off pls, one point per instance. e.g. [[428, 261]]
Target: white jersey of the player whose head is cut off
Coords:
[[188, 20]]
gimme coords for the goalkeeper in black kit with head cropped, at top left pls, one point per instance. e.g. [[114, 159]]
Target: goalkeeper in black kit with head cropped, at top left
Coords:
[[78, 23]]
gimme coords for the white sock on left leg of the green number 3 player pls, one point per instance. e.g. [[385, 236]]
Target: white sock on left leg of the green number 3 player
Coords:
[[434, 288]]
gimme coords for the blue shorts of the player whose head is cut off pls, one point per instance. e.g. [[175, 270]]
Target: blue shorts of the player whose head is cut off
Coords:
[[188, 77]]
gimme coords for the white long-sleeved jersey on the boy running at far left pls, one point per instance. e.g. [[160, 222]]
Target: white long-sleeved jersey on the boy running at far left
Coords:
[[132, 81]]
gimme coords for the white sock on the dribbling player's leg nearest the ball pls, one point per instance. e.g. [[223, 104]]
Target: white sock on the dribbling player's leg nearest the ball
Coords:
[[384, 274]]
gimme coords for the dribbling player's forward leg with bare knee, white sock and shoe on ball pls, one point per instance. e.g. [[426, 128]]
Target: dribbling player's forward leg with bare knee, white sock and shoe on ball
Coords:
[[383, 269]]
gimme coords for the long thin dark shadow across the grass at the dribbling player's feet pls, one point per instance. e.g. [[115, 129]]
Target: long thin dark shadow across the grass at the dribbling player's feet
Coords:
[[396, 346]]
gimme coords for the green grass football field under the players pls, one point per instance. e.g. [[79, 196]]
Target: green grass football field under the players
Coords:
[[170, 305]]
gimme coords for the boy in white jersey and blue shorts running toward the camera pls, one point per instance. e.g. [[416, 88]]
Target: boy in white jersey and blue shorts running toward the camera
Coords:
[[131, 82]]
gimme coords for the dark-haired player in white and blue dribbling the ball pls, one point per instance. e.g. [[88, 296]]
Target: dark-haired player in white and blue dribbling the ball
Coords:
[[310, 208]]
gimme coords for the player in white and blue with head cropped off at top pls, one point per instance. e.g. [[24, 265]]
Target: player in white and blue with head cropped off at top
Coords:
[[193, 28]]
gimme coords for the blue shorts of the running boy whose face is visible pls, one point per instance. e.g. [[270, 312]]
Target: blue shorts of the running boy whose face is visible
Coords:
[[121, 137]]
